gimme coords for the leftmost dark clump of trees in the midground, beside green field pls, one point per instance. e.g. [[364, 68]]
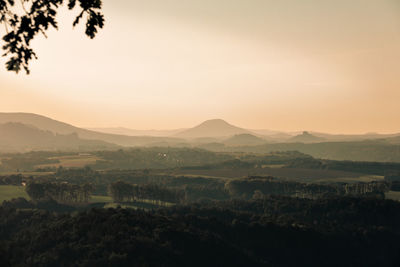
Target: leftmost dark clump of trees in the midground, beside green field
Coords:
[[60, 192]]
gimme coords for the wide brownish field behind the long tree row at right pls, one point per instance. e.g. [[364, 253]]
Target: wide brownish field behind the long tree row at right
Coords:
[[293, 174]]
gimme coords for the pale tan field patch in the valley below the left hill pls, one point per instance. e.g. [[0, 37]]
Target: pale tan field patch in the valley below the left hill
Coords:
[[73, 161]]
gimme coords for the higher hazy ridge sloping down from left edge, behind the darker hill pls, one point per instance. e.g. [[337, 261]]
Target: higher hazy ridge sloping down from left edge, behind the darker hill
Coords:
[[47, 124]]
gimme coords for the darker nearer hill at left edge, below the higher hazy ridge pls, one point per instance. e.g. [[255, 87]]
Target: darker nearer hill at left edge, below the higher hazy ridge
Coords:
[[18, 137]]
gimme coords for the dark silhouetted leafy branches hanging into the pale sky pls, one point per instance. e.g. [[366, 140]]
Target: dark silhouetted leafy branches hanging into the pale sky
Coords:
[[24, 21]]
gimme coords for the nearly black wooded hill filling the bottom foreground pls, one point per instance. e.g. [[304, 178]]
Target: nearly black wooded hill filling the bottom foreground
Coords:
[[275, 231]]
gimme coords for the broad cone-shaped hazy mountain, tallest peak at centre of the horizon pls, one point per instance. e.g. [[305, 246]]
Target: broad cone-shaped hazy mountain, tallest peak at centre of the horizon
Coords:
[[212, 128]]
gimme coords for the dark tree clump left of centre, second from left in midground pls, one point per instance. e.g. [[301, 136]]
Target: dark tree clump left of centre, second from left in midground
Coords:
[[121, 191]]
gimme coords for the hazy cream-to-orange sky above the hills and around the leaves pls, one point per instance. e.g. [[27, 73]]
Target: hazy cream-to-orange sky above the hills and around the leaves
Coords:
[[329, 66]]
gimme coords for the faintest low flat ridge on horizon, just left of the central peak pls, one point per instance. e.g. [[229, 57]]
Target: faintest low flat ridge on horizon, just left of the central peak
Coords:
[[133, 132]]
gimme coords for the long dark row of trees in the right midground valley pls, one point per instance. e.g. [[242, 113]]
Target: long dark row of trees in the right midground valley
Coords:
[[258, 186]]
